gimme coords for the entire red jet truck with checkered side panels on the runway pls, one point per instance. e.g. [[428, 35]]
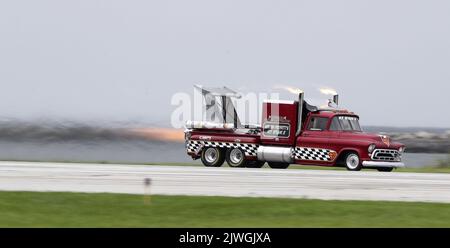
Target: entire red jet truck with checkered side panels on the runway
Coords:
[[291, 132]]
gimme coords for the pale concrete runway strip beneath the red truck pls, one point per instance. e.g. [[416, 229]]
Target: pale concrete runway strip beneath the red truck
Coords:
[[186, 180]]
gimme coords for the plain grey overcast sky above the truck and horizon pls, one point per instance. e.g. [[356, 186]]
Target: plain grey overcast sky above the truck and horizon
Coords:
[[123, 60]]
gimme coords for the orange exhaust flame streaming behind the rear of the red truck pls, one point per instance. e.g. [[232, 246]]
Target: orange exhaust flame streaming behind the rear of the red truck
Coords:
[[161, 134]]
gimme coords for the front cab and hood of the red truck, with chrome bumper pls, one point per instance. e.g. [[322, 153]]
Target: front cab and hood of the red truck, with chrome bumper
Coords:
[[338, 134]]
